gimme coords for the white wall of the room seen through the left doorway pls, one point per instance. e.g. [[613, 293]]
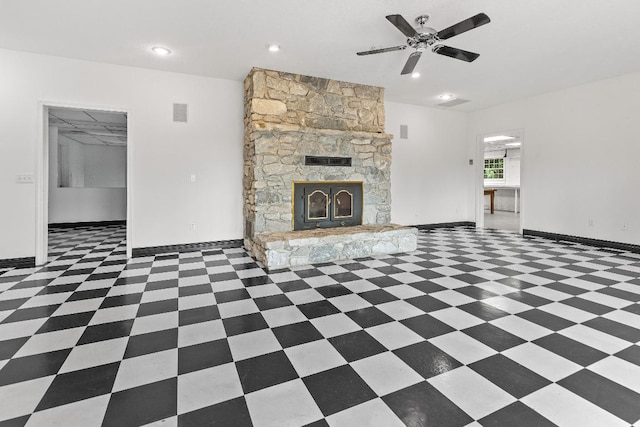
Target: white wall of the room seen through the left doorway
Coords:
[[73, 204]]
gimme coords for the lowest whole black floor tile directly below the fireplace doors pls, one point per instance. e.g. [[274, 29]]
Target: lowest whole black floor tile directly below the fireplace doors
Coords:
[[337, 389]]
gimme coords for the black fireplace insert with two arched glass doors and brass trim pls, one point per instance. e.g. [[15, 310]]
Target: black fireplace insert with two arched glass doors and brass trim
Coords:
[[326, 204]]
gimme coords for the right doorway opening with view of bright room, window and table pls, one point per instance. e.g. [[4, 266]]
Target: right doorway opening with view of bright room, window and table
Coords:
[[499, 181]]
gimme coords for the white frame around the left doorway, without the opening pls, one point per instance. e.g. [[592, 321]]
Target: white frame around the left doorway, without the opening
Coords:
[[42, 171]]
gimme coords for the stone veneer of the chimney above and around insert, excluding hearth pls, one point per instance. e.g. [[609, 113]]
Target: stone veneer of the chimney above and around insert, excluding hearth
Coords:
[[288, 117]]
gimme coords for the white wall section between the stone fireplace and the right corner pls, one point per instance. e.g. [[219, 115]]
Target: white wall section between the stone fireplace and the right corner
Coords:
[[429, 170]]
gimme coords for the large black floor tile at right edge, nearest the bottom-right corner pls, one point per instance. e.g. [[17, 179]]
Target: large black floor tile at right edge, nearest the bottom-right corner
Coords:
[[611, 396]]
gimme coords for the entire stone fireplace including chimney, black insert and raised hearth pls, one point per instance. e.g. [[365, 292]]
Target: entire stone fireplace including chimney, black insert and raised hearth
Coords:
[[324, 139]]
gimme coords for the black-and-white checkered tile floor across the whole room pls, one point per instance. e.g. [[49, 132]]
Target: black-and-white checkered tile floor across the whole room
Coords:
[[474, 328]]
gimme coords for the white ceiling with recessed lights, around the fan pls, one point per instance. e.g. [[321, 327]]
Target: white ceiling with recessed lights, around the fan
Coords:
[[530, 47]]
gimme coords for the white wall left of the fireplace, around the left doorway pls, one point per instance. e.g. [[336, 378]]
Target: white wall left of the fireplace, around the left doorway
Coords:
[[164, 153]]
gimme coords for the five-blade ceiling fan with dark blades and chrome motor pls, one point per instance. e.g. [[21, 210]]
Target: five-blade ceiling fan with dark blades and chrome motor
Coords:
[[422, 38]]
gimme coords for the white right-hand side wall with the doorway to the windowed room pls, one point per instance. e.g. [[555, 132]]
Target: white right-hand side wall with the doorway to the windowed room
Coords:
[[580, 158]]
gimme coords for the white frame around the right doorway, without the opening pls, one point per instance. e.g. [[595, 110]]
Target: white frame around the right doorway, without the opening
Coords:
[[479, 173]]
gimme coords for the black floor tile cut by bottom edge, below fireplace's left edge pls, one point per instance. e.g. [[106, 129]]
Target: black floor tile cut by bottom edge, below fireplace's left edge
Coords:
[[232, 412]]
